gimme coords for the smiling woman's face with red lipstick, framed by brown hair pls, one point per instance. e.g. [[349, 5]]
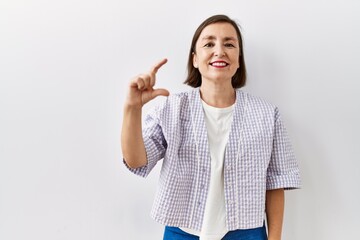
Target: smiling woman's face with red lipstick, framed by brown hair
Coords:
[[217, 53]]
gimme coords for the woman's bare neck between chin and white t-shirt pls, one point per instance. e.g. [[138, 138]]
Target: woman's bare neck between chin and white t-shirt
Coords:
[[217, 95]]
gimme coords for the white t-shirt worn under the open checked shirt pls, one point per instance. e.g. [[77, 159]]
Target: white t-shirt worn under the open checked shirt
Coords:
[[218, 123]]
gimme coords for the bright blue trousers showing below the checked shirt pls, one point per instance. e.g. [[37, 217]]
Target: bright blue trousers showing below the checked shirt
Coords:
[[175, 233]]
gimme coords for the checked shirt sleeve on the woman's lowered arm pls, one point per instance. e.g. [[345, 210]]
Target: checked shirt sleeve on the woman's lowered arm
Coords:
[[283, 170]]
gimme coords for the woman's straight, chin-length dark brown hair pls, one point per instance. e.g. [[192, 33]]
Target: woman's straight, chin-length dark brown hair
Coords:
[[194, 77]]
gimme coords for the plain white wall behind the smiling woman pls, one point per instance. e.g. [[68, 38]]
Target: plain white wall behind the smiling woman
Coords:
[[64, 70]]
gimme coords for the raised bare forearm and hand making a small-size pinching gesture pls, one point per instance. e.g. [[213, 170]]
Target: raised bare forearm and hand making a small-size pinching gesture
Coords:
[[140, 92]]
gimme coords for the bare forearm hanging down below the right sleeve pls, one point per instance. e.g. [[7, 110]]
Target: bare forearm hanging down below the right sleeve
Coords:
[[274, 212]]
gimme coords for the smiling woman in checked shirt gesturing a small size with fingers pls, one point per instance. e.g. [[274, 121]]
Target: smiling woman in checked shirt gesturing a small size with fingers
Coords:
[[226, 155]]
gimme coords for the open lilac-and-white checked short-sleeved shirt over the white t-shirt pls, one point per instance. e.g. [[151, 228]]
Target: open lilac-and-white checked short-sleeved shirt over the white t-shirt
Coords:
[[258, 157]]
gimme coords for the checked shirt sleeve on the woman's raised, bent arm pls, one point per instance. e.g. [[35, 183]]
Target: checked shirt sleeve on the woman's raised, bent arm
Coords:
[[154, 142]]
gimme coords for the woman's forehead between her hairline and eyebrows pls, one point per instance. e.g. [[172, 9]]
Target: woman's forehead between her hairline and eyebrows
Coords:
[[218, 30]]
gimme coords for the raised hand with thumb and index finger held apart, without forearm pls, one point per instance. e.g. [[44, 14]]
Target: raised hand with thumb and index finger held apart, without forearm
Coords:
[[141, 88]]
